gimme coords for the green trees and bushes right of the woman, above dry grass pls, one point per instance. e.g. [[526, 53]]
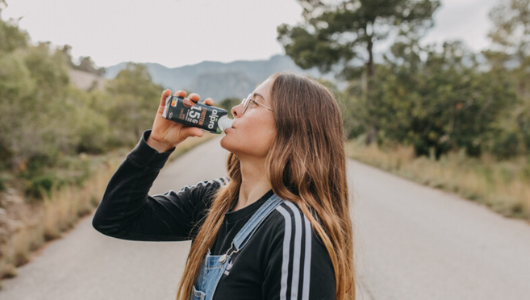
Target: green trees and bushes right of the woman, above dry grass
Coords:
[[435, 98]]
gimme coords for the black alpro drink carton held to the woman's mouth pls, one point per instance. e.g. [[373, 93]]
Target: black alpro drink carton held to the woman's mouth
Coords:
[[206, 117]]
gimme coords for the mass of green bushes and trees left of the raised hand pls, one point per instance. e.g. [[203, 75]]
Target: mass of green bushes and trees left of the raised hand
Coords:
[[44, 119]]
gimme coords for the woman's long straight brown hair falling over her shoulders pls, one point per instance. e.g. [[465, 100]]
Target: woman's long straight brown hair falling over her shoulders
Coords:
[[306, 165]]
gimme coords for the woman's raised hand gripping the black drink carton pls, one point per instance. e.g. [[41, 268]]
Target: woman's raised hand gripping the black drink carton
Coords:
[[167, 134]]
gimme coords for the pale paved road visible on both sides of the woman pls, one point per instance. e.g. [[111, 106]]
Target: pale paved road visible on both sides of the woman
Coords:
[[412, 242]]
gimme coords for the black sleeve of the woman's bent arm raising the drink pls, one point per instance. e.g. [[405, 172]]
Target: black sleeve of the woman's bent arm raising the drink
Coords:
[[126, 211]]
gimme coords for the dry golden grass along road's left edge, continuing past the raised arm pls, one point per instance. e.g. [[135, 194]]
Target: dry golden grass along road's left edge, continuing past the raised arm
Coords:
[[61, 211]]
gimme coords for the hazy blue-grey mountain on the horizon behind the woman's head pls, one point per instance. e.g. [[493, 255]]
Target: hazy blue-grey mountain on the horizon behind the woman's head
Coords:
[[218, 80]]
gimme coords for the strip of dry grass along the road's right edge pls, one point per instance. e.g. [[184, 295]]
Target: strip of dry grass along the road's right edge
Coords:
[[504, 186]]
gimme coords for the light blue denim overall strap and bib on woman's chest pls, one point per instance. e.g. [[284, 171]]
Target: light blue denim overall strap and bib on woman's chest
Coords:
[[214, 266]]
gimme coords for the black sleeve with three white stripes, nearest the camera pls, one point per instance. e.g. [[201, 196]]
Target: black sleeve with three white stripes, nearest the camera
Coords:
[[298, 265]]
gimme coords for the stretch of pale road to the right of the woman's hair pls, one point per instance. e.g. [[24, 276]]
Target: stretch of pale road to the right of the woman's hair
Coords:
[[415, 242]]
